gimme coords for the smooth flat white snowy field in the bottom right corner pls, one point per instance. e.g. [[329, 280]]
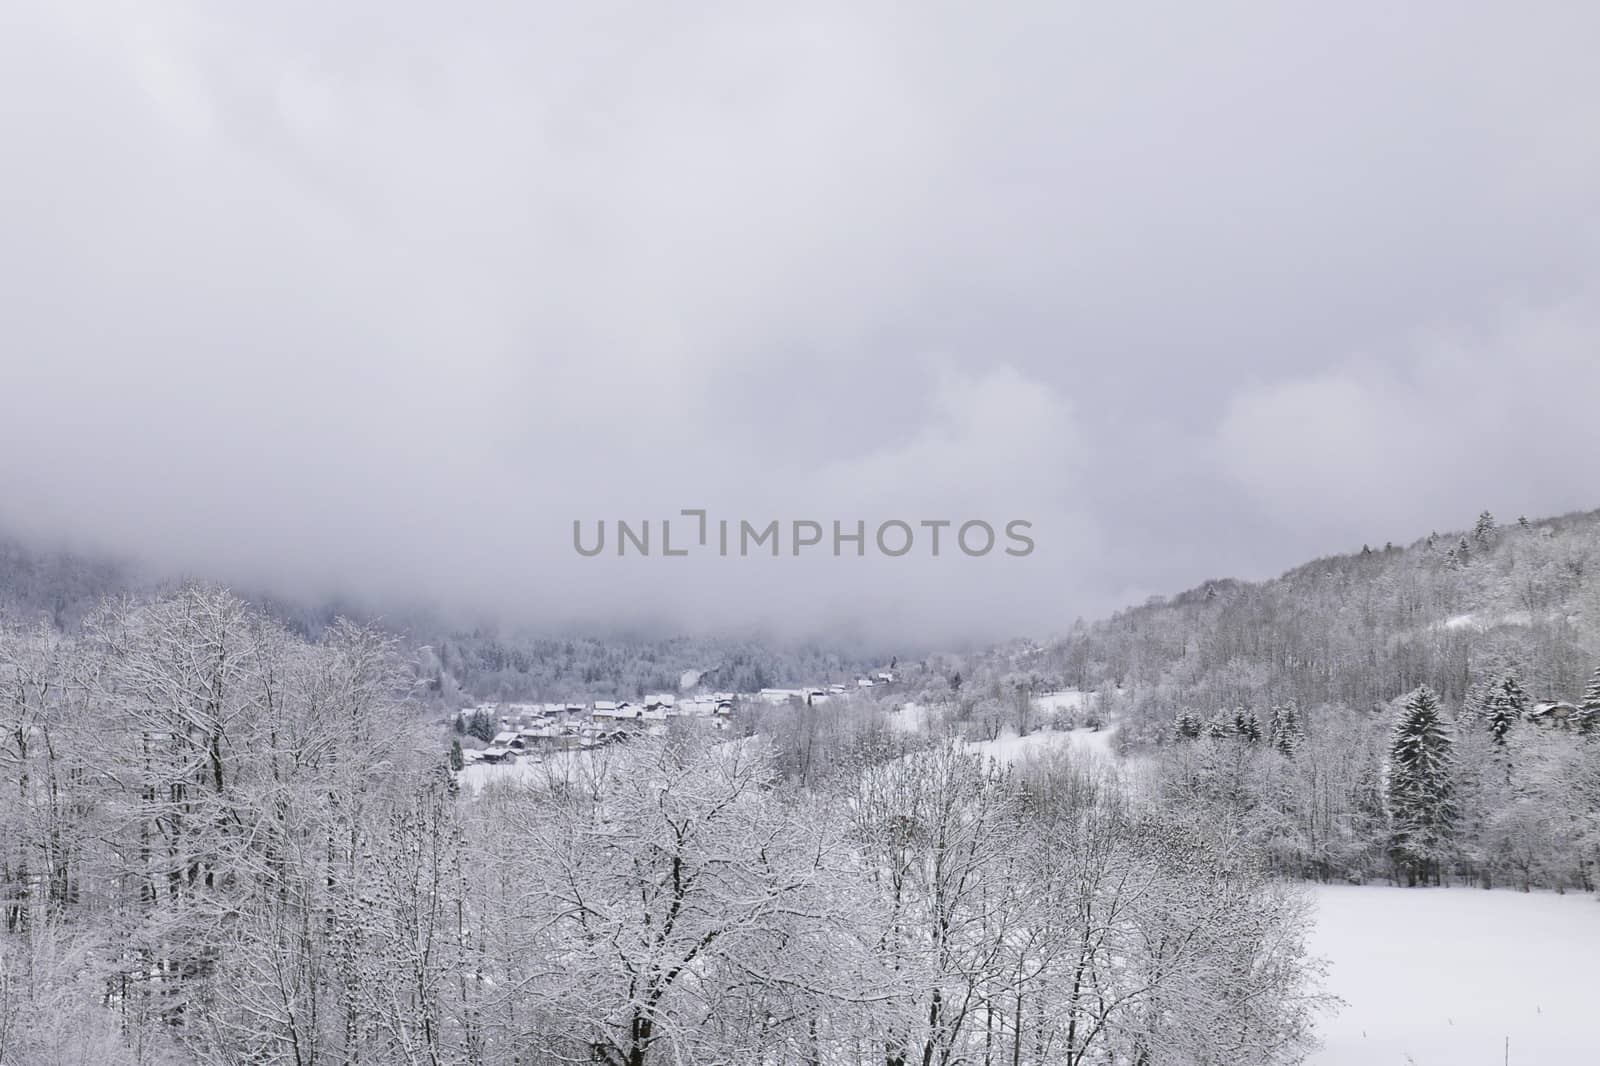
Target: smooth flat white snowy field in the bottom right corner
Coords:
[[1441, 977]]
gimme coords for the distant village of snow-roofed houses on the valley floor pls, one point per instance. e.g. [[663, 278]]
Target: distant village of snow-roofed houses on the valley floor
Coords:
[[537, 729]]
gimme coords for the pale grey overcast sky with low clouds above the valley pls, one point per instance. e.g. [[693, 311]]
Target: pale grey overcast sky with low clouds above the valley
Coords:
[[378, 299]]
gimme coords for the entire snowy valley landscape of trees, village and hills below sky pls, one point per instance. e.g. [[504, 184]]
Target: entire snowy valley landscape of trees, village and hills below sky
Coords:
[[233, 836]]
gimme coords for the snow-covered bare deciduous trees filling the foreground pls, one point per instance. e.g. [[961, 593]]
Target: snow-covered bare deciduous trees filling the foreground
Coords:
[[223, 844]]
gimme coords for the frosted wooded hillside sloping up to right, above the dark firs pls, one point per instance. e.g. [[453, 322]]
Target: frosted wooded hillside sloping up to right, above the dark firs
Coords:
[[1359, 630]]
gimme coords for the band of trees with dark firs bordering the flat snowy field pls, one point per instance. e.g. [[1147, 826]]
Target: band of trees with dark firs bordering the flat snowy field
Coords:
[[1417, 793]]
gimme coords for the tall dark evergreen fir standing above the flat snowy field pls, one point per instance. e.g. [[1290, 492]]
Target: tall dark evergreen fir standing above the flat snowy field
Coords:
[[1420, 788]]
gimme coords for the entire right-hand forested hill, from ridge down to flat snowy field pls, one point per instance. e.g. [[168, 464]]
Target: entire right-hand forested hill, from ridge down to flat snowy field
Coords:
[[1423, 715]]
